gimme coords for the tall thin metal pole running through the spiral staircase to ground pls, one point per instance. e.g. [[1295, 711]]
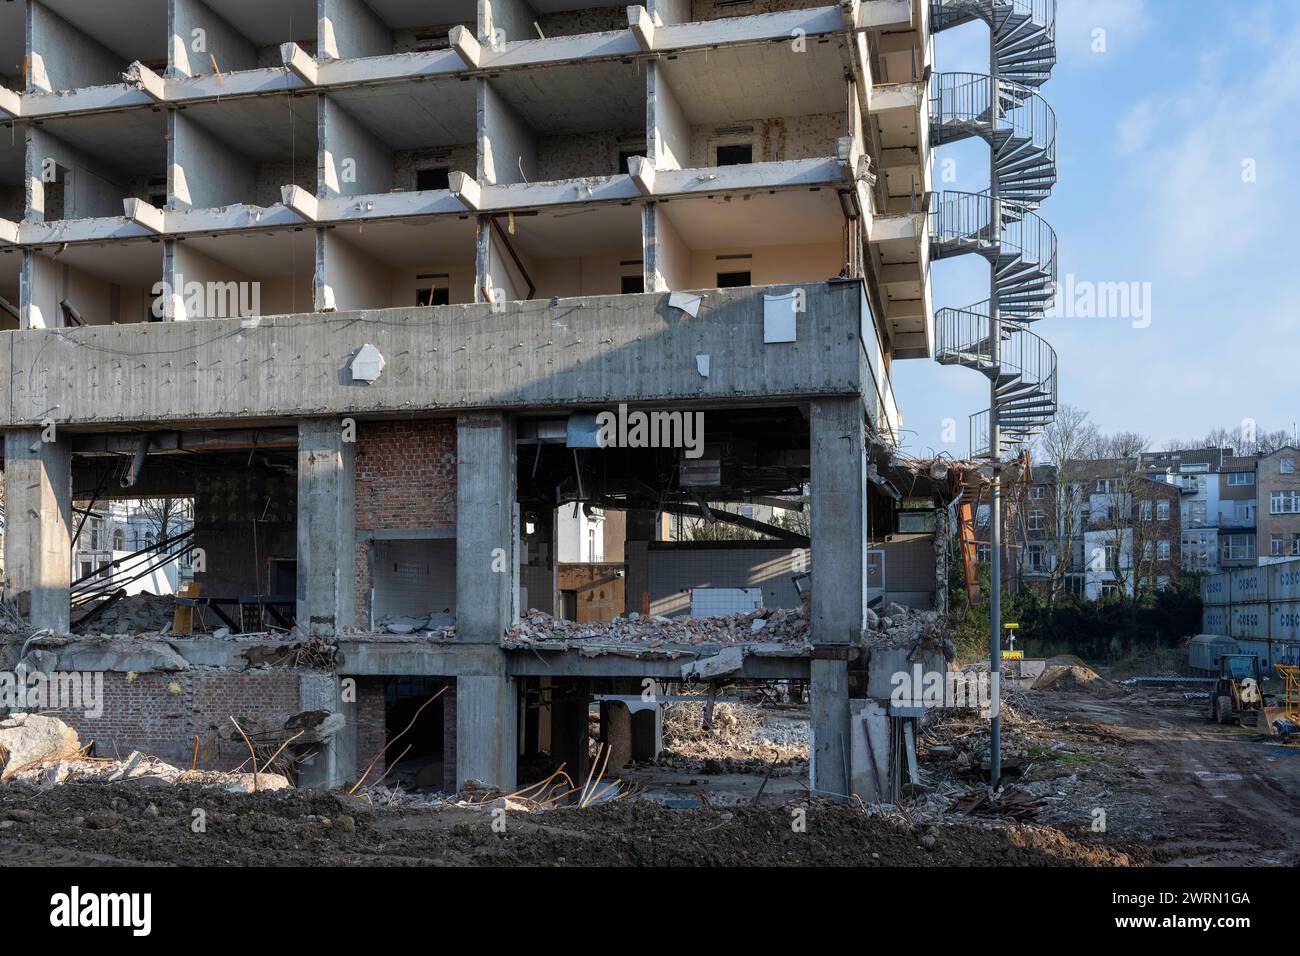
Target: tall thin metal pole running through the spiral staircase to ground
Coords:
[[995, 451]]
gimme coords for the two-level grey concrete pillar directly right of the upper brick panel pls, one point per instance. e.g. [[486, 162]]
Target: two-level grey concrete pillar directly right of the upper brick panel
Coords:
[[487, 582]]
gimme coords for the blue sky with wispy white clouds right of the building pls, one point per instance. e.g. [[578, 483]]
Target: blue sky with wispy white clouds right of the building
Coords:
[[1175, 152]]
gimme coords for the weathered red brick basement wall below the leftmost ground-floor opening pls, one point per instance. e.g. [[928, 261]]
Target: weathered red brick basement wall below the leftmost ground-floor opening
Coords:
[[161, 713]]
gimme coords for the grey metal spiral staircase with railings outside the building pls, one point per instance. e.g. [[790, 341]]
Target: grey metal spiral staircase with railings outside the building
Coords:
[[1002, 226]]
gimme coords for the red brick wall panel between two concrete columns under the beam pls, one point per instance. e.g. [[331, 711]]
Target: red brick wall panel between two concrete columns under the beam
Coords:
[[406, 478]]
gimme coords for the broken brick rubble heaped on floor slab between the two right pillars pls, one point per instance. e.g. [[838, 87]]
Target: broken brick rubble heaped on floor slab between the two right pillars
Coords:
[[764, 626]]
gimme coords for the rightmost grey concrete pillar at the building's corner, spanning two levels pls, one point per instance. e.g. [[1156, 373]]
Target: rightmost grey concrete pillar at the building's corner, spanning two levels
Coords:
[[839, 491]]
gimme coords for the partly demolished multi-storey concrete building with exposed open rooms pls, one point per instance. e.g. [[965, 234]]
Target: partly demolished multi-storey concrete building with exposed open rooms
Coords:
[[359, 285]]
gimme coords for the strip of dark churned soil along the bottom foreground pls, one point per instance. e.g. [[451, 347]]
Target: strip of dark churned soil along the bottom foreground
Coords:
[[76, 825]]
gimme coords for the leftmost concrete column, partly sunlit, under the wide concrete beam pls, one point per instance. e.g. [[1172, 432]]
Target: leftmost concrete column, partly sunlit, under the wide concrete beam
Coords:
[[40, 526]]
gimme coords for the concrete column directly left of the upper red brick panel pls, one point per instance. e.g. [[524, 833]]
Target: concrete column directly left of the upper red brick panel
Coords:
[[327, 526]]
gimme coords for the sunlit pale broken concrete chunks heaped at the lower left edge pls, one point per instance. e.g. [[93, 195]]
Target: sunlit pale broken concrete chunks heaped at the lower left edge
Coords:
[[45, 752]]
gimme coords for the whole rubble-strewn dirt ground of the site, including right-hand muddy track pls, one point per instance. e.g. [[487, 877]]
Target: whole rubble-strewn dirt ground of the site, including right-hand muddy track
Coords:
[[1173, 788]]
